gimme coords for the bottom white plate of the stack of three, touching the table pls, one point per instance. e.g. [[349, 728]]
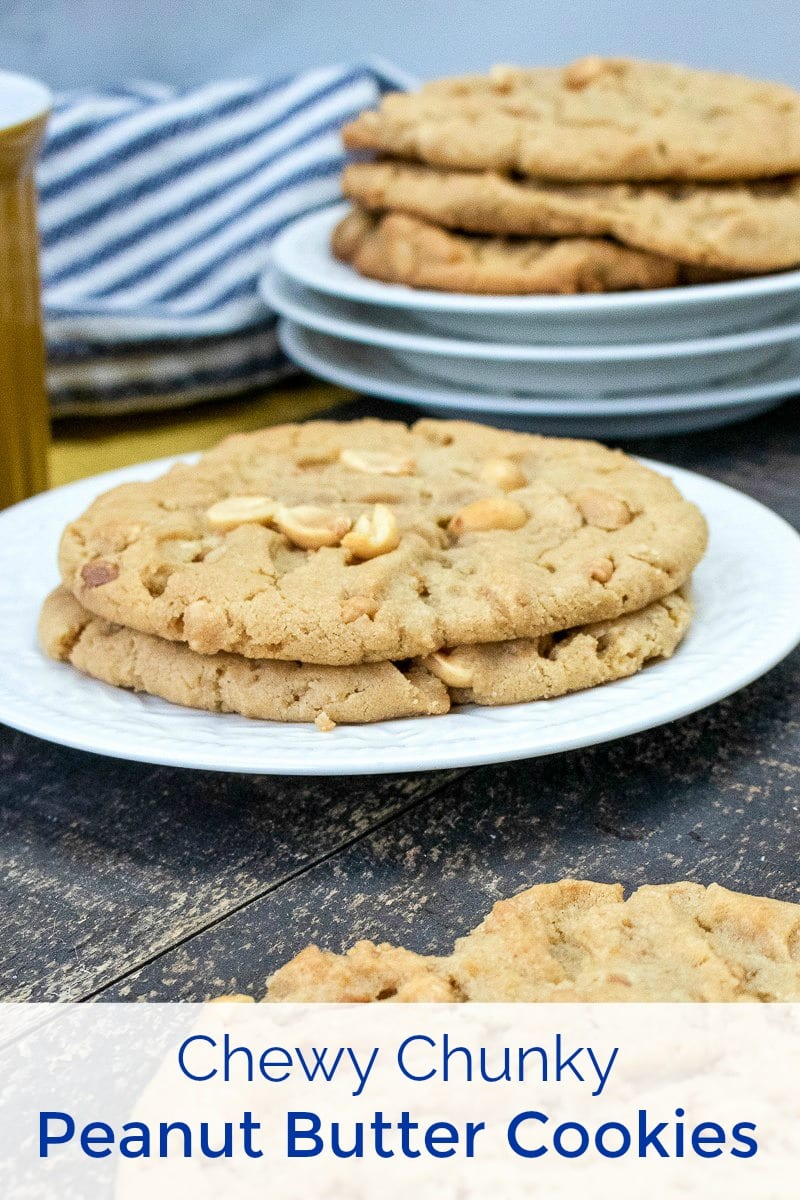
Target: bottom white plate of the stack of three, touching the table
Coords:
[[366, 370]]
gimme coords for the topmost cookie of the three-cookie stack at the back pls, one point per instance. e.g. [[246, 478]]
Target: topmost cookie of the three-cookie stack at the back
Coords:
[[597, 119]]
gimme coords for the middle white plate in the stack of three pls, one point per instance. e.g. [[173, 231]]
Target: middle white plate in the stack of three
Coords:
[[537, 370]]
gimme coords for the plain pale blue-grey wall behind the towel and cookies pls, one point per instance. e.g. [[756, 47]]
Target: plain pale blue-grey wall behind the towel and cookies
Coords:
[[74, 43]]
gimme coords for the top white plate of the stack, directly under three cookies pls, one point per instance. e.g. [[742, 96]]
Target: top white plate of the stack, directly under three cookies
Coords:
[[303, 254]]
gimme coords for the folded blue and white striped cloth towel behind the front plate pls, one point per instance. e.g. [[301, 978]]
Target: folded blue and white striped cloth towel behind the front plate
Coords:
[[157, 212]]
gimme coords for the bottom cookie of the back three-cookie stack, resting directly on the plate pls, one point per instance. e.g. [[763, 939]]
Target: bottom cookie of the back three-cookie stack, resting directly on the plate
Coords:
[[399, 249]]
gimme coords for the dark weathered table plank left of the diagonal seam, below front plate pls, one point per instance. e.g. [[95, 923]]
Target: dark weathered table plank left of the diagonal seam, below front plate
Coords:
[[105, 865]]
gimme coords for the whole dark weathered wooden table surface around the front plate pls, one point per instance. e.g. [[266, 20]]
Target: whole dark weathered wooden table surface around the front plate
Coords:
[[128, 881]]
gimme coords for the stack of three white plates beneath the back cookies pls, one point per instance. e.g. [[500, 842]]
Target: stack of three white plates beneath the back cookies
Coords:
[[625, 364]]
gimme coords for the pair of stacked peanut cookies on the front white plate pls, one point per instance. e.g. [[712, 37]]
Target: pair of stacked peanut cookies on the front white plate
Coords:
[[359, 572]]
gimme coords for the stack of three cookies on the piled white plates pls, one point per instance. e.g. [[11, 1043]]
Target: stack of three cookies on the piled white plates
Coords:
[[605, 176]]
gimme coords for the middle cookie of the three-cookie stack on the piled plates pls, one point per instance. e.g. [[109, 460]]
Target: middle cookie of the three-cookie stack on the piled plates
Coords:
[[745, 227]]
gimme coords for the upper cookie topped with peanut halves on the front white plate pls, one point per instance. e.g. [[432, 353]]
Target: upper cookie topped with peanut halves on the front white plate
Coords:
[[370, 542]]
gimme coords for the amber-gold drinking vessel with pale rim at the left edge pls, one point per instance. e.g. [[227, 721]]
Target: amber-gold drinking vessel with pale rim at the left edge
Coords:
[[25, 423]]
